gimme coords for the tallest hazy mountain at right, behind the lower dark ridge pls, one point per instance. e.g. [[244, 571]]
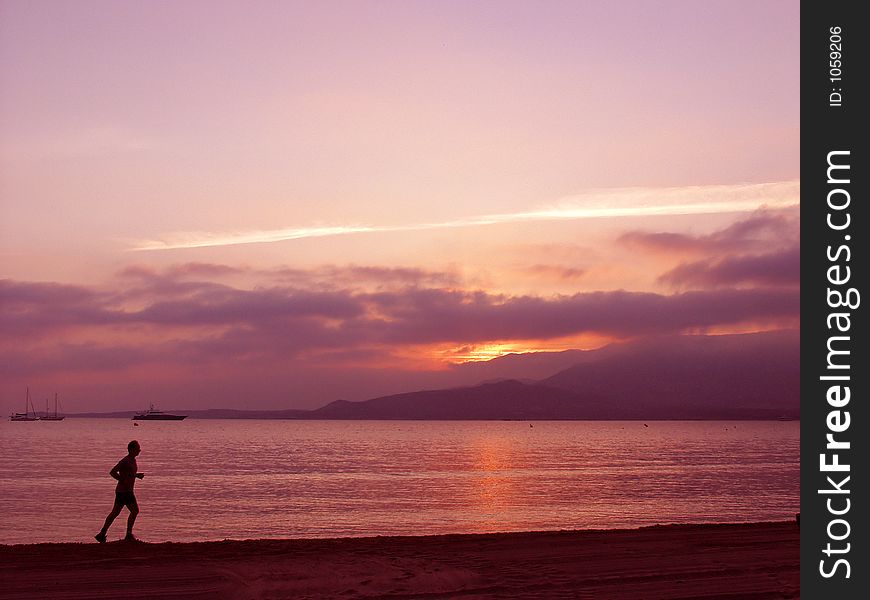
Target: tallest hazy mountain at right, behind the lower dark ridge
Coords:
[[755, 374]]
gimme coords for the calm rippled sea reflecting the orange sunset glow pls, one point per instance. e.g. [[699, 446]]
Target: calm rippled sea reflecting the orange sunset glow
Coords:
[[208, 480]]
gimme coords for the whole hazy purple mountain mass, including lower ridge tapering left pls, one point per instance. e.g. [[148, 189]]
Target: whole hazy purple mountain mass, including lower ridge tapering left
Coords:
[[751, 376]]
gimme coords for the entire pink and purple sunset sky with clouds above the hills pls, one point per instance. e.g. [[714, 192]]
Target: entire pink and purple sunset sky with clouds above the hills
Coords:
[[278, 204]]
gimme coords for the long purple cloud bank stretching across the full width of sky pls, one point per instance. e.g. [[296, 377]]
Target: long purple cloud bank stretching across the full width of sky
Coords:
[[161, 320]]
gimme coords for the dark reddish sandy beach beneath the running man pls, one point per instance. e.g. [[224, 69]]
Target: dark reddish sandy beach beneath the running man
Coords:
[[758, 560]]
